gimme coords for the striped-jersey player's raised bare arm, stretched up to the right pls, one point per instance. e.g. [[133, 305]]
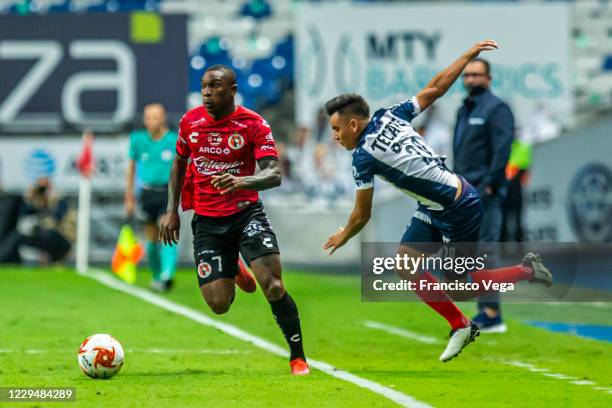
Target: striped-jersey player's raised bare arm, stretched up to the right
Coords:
[[445, 79]]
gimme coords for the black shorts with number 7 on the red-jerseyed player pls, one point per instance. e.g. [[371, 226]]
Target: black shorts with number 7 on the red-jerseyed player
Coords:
[[218, 240]]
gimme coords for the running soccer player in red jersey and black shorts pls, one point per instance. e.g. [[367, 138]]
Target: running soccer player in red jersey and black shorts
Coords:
[[225, 155]]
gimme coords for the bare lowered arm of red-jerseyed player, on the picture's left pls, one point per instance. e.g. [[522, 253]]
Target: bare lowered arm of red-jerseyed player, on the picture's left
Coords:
[[170, 222]]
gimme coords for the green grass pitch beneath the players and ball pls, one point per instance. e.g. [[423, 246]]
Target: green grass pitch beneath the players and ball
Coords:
[[46, 313]]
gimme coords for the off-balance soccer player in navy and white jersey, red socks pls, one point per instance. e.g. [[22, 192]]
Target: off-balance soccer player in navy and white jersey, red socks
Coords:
[[449, 208]]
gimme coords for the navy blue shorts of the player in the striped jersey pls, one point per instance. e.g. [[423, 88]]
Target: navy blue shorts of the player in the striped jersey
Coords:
[[458, 223]]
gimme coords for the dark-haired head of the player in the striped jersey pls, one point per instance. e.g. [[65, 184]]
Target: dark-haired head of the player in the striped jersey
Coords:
[[348, 116]]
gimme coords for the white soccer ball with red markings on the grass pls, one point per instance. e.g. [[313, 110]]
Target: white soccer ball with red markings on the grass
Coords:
[[101, 356]]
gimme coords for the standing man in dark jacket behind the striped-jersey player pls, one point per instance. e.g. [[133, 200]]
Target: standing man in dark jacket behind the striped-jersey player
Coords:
[[481, 147]]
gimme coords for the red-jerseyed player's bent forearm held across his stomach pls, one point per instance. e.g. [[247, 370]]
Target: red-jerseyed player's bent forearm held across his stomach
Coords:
[[268, 176]]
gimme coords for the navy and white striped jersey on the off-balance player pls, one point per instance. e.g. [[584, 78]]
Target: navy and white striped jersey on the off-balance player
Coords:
[[390, 148]]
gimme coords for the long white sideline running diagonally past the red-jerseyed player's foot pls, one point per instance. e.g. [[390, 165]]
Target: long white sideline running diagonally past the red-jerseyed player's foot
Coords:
[[395, 396]]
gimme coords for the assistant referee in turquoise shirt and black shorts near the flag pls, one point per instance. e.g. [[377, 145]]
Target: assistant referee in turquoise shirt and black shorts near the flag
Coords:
[[152, 150]]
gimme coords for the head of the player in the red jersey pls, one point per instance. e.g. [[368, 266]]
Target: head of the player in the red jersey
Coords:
[[218, 90]]
